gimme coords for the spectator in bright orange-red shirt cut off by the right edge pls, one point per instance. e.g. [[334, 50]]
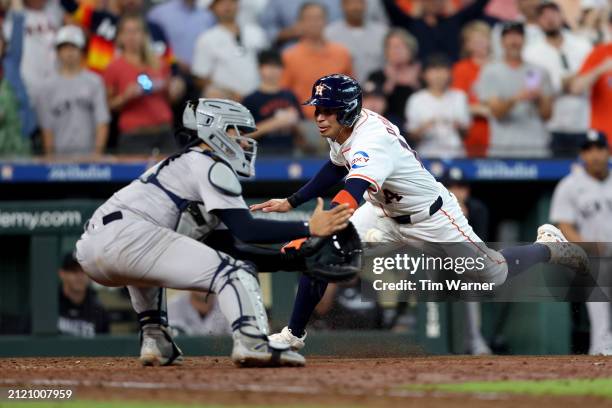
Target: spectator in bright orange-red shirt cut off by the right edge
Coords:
[[595, 76]]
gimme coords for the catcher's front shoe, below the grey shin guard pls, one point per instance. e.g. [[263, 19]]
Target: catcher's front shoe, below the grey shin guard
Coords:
[[254, 352]]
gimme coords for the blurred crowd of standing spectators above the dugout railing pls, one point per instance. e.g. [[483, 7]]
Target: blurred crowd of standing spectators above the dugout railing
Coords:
[[460, 78]]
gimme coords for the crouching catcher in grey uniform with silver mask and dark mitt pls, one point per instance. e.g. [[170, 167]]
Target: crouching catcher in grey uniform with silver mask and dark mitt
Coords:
[[131, 240]]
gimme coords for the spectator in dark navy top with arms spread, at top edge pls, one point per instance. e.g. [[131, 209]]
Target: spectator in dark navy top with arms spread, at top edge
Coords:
[[435, 31]]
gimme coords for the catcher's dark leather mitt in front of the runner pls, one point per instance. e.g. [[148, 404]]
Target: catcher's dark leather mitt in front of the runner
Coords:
[[334, 258]]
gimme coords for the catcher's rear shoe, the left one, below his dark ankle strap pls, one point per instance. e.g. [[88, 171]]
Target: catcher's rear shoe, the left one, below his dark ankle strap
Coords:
[[157, 347]]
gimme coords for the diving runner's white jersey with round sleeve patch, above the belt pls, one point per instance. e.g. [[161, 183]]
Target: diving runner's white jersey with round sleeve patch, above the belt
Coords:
[[377, 153]]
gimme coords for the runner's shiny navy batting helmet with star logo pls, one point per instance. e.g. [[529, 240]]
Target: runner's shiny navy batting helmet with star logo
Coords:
[[339, 92]]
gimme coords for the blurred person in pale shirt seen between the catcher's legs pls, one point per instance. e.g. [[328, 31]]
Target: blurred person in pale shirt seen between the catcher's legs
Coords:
[[197, 314]]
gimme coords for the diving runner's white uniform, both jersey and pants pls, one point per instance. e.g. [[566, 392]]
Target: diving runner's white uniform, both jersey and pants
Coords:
[[401, 185]]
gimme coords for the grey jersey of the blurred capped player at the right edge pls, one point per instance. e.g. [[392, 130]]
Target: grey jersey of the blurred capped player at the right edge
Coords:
[[585, 202]]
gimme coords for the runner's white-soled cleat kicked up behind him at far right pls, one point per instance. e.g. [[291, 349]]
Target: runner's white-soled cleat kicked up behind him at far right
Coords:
[[563, 252]]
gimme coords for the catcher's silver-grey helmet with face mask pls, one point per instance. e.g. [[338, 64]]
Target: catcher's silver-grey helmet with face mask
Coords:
[[221, 123]]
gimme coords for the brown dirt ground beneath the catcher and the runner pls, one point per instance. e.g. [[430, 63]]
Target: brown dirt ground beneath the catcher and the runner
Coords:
[[325, 381]]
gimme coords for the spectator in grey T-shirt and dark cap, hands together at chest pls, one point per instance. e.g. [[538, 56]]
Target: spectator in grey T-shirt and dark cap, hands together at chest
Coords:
[[520, 98]]
